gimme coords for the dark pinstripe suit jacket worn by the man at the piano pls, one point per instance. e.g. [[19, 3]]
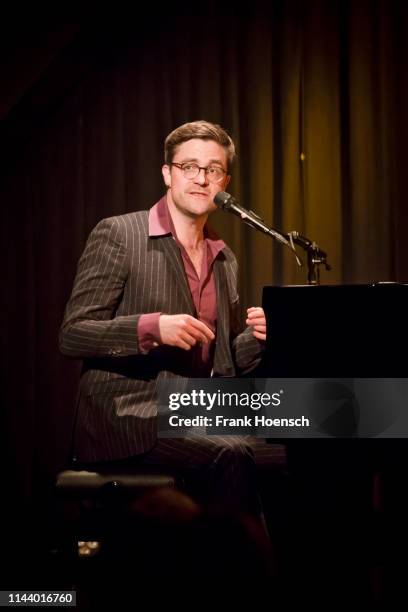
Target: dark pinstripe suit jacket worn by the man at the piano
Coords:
[[122, 274]]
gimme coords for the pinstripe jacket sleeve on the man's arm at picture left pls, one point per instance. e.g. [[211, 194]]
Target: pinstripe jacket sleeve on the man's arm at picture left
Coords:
[[90, 327]]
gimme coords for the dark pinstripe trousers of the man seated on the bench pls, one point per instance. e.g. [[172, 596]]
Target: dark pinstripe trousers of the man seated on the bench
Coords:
[[219, 473]]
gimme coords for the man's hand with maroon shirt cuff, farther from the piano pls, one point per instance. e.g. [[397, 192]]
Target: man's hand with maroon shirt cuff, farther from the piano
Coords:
[[183, 331]]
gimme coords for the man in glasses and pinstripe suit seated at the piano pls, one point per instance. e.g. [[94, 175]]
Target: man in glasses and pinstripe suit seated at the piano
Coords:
[[155, 297]]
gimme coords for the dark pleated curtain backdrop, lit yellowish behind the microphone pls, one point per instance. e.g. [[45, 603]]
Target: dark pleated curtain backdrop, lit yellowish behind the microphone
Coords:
[[315, 95]]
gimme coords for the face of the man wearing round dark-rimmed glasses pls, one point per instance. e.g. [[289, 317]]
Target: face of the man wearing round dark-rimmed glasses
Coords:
[[194, 197]]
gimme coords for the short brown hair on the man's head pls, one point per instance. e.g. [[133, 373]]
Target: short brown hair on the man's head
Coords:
[[198, 129]]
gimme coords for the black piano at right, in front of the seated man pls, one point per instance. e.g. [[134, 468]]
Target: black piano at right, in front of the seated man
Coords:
[[339, 331]]
